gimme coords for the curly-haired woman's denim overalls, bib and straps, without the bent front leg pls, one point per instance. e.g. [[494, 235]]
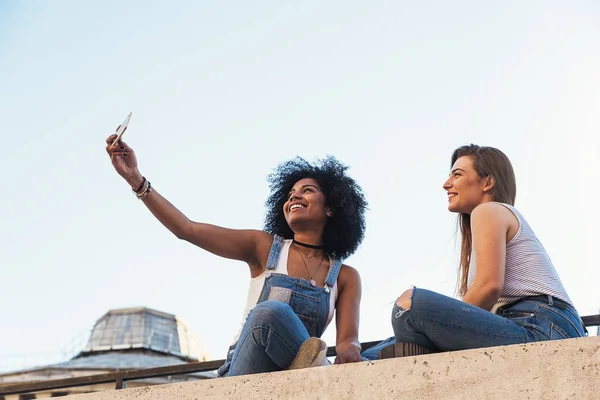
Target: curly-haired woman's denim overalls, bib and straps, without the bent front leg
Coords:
[[310, 304]]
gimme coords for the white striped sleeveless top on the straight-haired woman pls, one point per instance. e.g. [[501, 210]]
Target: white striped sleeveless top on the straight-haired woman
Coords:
[[529, 270]]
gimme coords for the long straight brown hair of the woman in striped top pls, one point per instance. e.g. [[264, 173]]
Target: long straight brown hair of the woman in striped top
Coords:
[[488, 162]]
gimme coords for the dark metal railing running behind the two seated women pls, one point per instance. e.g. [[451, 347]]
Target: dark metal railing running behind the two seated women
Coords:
[[120, 378]]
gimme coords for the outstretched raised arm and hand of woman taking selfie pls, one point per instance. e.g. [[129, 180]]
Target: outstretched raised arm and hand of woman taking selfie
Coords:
[[251, 246]]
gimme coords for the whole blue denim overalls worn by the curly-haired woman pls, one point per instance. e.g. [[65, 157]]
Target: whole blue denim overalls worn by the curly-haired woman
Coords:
[[289, 311]]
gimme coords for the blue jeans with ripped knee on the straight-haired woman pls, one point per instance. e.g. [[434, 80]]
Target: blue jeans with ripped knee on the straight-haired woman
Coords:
[[441, 323]]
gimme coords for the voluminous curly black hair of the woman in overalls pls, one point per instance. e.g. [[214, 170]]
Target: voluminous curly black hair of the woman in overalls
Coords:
[[345, 230]]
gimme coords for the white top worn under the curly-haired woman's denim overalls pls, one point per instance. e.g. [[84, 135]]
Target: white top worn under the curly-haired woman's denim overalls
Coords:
[[256, 285]]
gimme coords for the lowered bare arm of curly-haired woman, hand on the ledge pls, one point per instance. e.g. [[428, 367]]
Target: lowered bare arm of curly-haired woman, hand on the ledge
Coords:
[[347, 316]]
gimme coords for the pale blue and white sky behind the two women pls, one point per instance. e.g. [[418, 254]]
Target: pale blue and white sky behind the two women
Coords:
[[221, 92]]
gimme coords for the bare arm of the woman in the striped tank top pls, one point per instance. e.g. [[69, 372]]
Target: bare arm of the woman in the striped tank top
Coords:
[[490, 223]]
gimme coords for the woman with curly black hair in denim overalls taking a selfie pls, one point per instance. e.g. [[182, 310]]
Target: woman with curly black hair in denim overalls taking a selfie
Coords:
[[314, 220]]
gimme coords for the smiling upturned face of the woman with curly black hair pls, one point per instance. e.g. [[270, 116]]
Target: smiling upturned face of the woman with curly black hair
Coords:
[[306, 205]]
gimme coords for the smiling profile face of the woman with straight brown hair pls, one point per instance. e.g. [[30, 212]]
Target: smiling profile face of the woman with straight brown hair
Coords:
[[465, 188]]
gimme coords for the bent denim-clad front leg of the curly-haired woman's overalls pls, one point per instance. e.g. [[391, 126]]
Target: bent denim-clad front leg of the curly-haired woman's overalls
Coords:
[[270, 339]]
